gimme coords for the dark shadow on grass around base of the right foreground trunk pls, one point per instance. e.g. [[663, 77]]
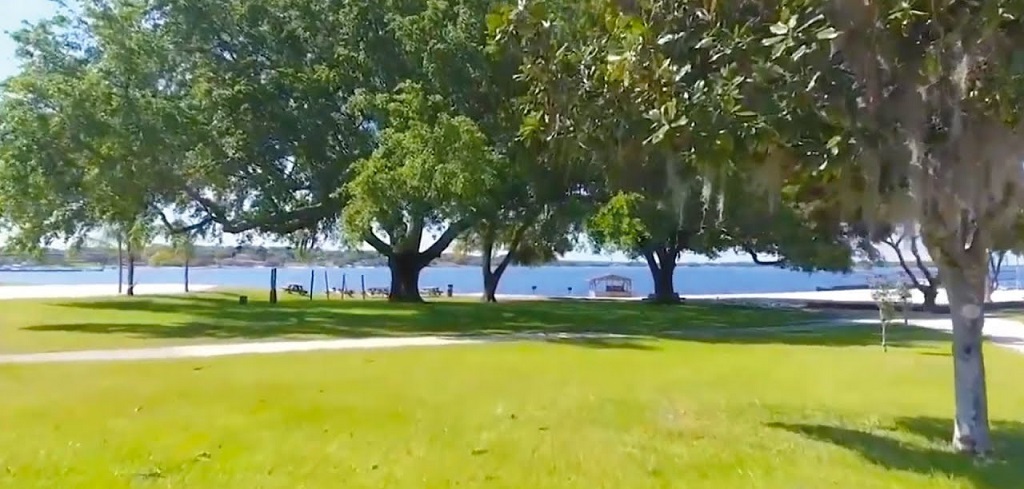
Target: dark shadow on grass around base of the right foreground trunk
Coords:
[[930, 453]]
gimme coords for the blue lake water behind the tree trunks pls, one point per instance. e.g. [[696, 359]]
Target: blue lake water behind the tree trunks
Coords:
[[549, 281]]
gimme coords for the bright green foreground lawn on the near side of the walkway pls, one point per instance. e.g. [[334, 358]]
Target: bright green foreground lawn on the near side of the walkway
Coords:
[[809, 411]]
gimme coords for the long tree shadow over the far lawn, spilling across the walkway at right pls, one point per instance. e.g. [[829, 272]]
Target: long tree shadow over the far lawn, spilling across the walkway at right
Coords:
[[220, 317]]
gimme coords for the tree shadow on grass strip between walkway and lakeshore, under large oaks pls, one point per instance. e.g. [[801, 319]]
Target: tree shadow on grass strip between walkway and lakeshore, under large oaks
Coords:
[[221, 317]]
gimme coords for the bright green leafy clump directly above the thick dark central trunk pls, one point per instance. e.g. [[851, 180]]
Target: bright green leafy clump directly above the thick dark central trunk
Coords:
[[431, 168]]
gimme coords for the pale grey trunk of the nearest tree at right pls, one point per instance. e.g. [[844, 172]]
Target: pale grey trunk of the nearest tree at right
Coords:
[[966, 288]]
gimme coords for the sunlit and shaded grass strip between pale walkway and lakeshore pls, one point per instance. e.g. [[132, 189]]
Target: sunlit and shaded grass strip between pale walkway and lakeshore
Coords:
[[77, 325]]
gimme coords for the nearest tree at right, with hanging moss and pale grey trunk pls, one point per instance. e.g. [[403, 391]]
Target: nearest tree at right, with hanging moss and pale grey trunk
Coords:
[[907, 108]]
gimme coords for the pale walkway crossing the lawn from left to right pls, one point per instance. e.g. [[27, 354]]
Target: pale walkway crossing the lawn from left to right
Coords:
[[1002, 332]]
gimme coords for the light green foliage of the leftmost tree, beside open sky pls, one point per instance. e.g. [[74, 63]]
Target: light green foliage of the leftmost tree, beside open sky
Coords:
[[82, 143]]
